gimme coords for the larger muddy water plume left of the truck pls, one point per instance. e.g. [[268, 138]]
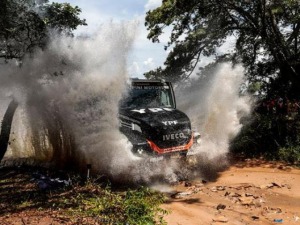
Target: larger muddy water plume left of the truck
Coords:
[[68, 98]]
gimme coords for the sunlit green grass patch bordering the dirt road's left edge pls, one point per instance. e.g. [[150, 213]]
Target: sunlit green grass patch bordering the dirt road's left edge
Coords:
[[141, 206]]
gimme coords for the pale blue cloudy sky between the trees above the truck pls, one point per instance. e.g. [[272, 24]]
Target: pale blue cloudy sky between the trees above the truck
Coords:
[[145, 55]]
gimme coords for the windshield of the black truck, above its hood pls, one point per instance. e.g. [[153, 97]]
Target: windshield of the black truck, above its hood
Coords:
[[148, 97]]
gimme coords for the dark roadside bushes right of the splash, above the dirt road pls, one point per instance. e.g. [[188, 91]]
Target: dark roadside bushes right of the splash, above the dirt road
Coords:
[[272, 135]]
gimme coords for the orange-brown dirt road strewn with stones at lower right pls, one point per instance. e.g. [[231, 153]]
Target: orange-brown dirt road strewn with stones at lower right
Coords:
[[252, 192]]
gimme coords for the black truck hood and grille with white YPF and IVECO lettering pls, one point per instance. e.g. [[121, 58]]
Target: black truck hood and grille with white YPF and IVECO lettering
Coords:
[[165, 127]]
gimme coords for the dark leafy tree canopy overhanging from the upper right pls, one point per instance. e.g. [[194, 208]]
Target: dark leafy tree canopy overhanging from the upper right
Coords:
[[266, 31]]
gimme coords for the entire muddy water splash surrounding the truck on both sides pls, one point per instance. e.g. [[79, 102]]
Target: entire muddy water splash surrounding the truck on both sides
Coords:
[[69, 96]]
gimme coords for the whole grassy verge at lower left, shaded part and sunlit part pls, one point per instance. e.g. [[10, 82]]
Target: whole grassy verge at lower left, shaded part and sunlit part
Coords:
[[80, 203]]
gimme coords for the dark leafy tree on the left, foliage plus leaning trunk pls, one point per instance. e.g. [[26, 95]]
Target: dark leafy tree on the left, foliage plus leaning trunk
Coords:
[[24, 26]]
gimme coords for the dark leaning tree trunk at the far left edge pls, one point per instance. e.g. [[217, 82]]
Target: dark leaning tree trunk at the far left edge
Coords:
[[6, 127]]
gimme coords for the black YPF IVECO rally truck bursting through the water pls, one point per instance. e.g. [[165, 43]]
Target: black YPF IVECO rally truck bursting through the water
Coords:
[[151, 122]]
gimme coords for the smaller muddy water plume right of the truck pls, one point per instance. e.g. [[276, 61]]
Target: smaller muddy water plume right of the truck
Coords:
[[215, 107]]
